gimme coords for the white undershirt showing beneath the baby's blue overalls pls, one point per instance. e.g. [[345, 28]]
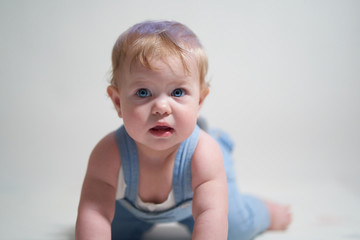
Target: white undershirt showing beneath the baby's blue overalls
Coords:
[[167, 204]]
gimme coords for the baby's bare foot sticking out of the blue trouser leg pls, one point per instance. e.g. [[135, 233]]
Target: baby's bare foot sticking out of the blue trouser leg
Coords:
[[280, 216]]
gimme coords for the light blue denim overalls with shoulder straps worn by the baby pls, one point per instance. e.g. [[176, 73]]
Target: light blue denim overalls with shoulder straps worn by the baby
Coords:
[[248, 215]]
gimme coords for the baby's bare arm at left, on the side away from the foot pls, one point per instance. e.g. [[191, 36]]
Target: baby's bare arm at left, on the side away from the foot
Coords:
[[97, 201]]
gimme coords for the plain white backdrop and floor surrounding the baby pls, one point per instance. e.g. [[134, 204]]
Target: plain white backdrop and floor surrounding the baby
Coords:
[[285, 82]]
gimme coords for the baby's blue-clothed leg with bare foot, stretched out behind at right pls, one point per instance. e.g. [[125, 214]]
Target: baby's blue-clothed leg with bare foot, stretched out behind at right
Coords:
[[248, 216]]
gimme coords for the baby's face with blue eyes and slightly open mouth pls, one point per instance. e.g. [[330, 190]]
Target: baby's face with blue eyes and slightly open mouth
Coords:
[[160, 107]]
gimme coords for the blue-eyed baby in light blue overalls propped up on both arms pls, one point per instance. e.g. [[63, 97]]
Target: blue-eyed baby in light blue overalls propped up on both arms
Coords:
[[160, 166]]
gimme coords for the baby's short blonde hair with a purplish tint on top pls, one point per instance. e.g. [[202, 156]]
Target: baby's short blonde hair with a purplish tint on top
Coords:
[[149, 39]]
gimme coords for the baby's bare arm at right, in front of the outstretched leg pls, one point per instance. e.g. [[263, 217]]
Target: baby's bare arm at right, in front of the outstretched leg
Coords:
[[210, 205]]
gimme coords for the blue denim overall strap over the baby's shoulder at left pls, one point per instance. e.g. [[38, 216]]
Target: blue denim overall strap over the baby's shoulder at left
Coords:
[[129, 163]]
